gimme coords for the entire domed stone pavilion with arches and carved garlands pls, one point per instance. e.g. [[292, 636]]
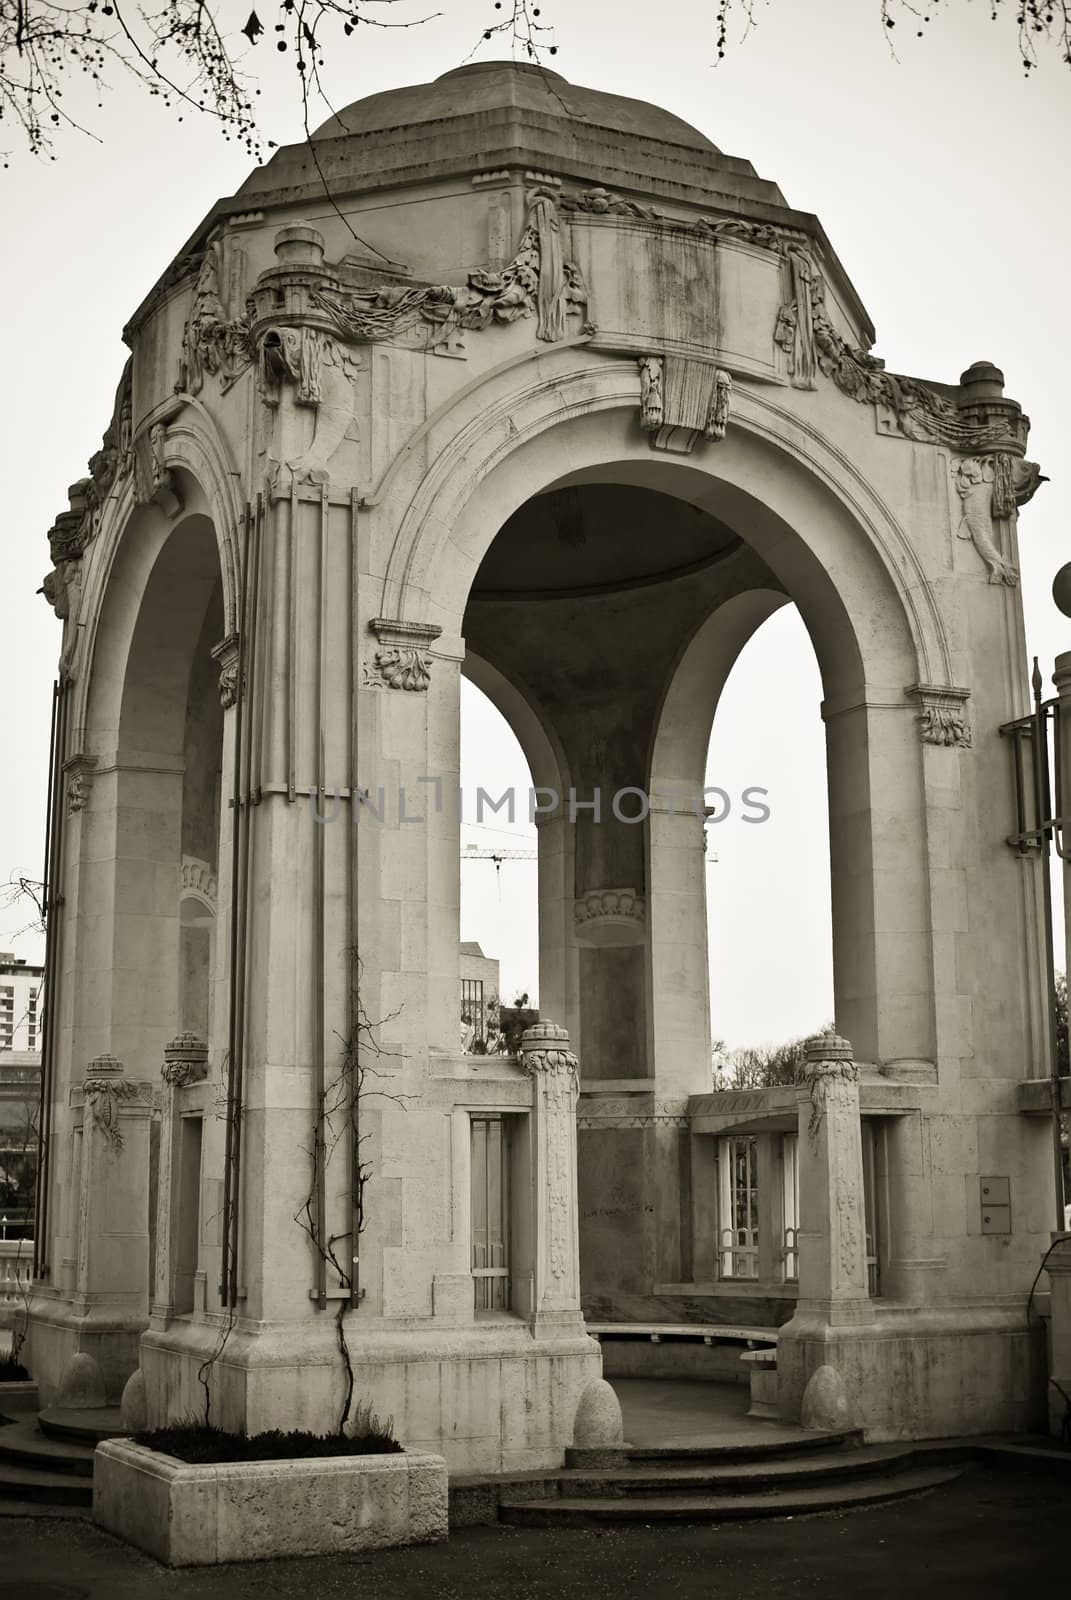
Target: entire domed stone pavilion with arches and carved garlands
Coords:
[[582, 414]]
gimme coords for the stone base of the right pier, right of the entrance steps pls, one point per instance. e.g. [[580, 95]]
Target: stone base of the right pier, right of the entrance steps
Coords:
[[917, 1374]]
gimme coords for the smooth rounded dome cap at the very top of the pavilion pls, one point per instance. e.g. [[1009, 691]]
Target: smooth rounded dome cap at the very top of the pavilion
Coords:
[[495, 86]]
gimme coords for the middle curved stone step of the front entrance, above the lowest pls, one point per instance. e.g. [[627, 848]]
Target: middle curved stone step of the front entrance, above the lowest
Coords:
[[740, 1478]]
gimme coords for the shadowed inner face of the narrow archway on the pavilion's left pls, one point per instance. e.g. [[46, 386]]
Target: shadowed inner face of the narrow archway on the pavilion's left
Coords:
[[153, 734]]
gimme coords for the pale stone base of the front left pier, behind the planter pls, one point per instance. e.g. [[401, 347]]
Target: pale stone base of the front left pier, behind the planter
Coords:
[[489, 1398]]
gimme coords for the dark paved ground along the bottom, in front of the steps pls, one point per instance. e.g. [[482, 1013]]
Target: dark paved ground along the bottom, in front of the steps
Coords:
[[992, 1535]]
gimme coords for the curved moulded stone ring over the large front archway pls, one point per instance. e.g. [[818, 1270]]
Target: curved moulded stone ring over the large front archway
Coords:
[[801, 495]]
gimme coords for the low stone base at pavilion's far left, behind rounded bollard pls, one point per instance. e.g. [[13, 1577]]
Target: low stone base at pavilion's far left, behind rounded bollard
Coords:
[[57, 1332]]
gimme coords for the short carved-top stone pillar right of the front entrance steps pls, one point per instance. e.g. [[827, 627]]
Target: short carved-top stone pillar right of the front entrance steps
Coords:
[[833, 1222]]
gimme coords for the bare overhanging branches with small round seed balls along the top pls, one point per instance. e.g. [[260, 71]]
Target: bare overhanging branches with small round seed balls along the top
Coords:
[[196, 55]]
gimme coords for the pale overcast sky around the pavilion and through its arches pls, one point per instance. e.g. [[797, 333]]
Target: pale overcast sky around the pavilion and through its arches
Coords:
[[942, 183]]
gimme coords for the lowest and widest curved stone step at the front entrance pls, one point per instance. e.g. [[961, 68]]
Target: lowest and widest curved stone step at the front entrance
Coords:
[[724, 1508]]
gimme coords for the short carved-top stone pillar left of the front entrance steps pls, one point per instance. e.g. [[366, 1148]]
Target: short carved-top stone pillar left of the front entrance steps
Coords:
[[552, 1066]]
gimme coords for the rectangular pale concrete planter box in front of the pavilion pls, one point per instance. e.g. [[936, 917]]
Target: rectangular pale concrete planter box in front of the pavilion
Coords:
[[196, 1516]]
